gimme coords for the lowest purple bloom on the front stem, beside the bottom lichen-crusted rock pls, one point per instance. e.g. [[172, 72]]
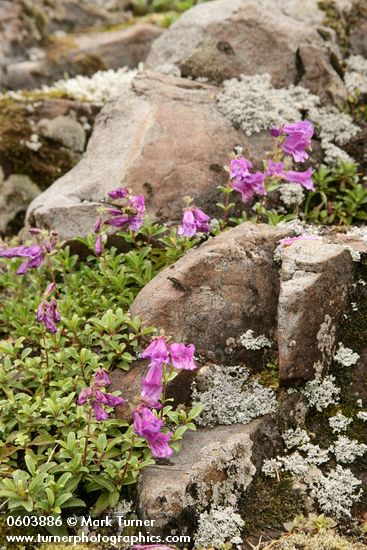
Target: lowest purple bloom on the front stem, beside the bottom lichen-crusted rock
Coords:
[[147, 425]]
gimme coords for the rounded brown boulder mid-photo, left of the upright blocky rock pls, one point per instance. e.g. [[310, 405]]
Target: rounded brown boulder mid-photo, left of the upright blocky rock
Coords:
[[219, 291]]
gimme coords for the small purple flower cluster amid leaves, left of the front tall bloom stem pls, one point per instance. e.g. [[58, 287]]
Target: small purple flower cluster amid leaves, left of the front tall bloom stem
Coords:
[[94, 396]]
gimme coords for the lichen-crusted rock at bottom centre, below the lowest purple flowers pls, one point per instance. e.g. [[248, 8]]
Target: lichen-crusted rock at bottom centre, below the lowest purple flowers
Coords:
[[215, 467]]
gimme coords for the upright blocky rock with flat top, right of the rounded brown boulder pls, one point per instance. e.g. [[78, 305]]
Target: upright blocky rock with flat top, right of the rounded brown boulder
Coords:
[[312, 273]]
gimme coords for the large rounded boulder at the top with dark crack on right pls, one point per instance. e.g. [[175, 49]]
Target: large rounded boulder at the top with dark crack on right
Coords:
[[227, 38]]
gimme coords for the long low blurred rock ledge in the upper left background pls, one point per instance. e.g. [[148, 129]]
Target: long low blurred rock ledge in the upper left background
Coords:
[[84, 55]]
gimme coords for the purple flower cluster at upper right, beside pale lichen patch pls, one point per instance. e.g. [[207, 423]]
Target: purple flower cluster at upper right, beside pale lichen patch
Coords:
[[292, 139]]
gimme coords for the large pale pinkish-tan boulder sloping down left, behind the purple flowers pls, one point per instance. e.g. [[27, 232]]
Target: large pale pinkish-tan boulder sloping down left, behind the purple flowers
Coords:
[[164, 138]]
